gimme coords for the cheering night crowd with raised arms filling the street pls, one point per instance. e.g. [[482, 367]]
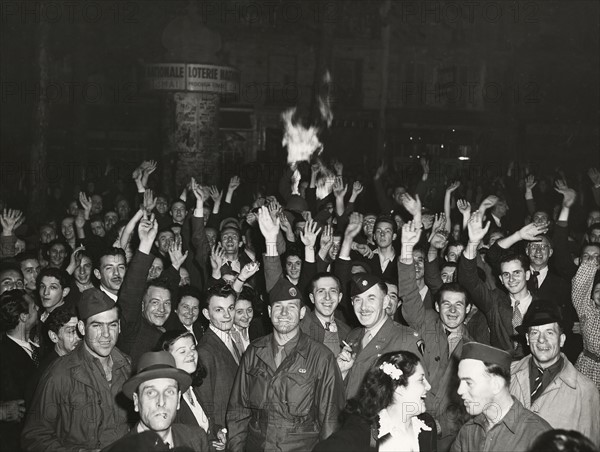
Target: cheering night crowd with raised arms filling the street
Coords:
[[338, 314]]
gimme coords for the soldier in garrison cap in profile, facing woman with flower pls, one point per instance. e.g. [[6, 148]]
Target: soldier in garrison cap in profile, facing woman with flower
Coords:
[[499, 422]]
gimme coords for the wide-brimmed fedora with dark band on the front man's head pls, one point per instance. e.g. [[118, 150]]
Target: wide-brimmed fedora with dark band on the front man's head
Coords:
[[154, 365]]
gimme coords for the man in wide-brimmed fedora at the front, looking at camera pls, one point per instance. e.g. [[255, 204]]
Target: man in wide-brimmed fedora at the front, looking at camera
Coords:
[[156, 392]]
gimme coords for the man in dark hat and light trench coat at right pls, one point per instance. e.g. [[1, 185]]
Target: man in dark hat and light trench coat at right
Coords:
[[547, 383]]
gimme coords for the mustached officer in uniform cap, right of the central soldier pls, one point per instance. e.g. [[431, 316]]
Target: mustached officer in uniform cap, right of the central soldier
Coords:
[[379, 334]]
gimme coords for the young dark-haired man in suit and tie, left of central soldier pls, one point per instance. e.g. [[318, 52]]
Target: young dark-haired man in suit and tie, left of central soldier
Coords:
[[218, 351]]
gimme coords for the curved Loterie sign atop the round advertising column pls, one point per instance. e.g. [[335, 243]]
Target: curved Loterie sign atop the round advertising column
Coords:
[[206, 78]]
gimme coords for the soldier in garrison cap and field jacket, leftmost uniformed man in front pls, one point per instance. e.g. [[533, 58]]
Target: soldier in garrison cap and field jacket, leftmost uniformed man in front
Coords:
[[95, 365]]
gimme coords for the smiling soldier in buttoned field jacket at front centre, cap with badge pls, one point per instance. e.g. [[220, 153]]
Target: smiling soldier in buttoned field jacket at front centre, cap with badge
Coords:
[[288, 391]]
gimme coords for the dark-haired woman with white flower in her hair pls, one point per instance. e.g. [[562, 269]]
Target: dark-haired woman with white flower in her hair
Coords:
[[388, 413]]
